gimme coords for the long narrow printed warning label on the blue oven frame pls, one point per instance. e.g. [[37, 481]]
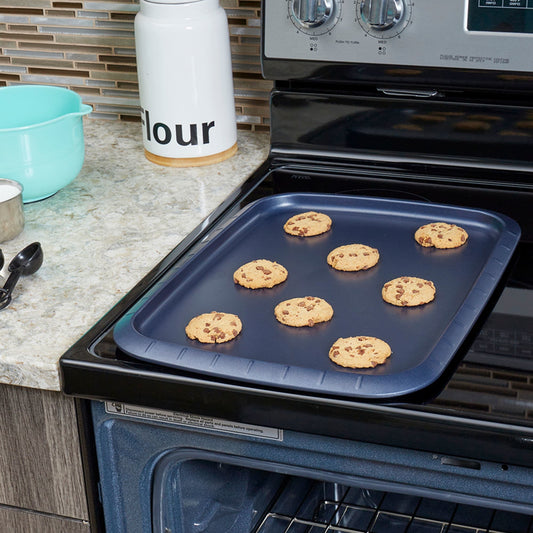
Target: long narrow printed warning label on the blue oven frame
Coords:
[[192, 421]]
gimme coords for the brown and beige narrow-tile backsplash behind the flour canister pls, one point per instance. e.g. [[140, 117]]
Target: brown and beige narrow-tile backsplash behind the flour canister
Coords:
[[89, 47]]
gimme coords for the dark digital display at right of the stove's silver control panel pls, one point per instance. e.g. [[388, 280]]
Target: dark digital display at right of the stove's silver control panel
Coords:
[[505, 16]]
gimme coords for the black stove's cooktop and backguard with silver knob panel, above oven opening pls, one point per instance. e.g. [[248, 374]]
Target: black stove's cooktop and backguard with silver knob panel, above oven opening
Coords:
[[428, 103]]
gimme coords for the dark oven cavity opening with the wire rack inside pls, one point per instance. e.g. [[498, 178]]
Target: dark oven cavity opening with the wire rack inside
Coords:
[[211, 497]]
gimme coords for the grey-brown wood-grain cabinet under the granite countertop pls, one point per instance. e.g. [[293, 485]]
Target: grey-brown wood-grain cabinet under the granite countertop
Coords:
[[41, 478]]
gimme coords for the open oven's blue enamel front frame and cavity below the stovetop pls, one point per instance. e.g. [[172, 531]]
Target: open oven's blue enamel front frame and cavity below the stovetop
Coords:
[[169, 472]]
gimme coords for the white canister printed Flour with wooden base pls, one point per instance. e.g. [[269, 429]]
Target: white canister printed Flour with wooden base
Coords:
[[185, 82]]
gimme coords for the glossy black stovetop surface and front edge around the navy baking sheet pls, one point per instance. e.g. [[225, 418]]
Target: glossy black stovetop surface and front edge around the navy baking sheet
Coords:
[[483, 403]]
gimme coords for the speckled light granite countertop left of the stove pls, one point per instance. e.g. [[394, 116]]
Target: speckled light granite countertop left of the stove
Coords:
[[100, 235]]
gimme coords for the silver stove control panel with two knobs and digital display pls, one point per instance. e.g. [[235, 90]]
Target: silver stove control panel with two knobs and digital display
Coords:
[[478, 34]]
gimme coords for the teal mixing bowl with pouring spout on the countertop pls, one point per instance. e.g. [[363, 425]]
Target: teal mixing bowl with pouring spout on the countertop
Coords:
[[41, 138]]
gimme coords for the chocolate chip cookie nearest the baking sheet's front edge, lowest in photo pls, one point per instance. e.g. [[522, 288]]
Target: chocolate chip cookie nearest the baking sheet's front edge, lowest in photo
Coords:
[[359, 352]]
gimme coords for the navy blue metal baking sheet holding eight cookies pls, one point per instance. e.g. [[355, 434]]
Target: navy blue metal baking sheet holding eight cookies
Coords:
[[423, 339]]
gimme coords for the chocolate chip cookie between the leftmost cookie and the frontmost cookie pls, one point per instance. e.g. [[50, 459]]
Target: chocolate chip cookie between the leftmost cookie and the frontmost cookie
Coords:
[[306, 311]]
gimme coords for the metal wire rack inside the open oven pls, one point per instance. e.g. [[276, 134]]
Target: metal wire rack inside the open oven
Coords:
[[333, 508]]
